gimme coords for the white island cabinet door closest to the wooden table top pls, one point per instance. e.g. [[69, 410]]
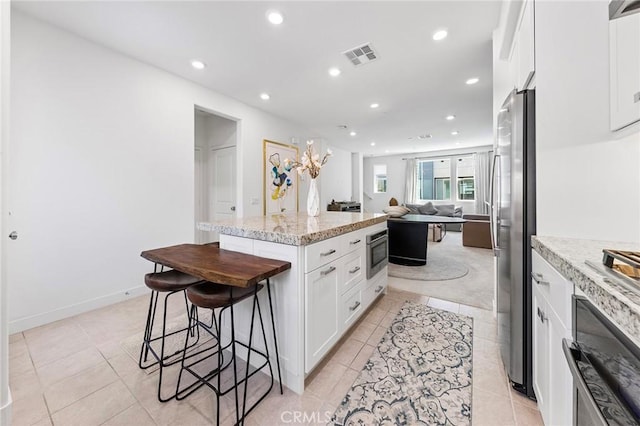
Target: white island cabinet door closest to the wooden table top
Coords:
[[321, 316]]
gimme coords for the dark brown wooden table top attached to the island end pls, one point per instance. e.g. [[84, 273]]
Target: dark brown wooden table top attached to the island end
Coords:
[[214, 264]]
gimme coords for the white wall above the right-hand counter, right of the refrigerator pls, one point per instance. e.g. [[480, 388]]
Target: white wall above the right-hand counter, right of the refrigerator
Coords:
[[588, 177]]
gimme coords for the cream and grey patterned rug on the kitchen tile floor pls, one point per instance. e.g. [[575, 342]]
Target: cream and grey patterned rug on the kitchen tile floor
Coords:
[[420, 373]]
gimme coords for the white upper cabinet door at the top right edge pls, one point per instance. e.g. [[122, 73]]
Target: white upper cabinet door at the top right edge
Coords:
[[624, 51]]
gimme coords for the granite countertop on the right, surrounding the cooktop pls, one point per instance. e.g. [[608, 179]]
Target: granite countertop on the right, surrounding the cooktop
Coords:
[[568, 256]]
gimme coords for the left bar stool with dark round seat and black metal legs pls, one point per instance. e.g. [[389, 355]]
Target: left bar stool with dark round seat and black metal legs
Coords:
[[169, 283]]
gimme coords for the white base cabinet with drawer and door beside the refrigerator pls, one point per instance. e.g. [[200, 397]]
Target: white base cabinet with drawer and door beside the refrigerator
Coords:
[[552, 381]]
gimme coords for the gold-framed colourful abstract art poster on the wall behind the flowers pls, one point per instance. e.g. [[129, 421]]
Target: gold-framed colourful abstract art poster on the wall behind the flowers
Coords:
[[280, 183]]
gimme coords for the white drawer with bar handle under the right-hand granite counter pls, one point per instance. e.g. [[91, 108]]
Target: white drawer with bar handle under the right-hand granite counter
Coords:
[[556, 289]]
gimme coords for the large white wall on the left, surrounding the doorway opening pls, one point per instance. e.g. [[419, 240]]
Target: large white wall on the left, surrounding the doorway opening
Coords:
[[103, 168]]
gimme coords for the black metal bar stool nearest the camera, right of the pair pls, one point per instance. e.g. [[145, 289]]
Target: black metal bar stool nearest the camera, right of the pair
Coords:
[[214, 296]]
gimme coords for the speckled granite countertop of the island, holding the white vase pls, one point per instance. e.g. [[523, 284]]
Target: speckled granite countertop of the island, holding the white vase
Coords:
[[297, 229]]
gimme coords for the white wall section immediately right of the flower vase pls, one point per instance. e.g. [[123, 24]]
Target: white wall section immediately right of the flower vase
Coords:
[[335, 178]]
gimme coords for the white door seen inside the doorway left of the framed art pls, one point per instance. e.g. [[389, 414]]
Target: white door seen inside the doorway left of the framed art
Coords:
[[222, 183]]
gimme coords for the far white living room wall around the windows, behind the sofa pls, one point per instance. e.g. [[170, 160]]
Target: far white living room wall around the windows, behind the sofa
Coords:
[[396, 170]]
